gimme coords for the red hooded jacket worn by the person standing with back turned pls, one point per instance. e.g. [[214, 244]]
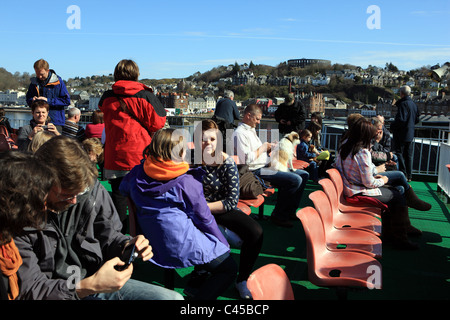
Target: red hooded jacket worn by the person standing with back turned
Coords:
[[126, 137]]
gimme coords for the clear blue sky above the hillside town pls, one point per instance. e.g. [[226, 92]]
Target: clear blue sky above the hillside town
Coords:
[[178, 38]]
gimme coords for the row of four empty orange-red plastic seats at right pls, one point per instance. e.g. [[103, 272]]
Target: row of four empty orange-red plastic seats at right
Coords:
[[342, 245]]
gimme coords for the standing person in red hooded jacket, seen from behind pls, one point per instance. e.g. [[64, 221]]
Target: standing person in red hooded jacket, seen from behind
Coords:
[[131, 114]]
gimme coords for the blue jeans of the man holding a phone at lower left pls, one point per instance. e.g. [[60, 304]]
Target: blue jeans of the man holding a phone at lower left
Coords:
[[138, 290]]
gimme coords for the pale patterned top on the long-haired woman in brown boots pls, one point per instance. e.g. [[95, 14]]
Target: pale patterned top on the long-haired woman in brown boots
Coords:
[[358, 174]]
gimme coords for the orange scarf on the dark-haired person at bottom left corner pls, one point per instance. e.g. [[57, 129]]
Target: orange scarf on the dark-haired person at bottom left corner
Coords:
[[10, 261]]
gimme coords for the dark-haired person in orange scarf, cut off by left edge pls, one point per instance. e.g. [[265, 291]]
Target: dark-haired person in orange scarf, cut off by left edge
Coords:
[[24, 186]]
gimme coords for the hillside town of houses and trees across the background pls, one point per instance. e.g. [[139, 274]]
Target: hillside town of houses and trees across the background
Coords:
[[192, 96]]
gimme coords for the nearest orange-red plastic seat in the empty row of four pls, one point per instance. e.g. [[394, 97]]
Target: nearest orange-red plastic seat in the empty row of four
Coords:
[[329, 268]]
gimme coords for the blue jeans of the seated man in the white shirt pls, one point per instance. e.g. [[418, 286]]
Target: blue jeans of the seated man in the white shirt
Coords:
[[290, 187]]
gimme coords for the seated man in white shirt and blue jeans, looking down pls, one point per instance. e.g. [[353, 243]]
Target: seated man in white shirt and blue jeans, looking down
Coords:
[[253, 152]]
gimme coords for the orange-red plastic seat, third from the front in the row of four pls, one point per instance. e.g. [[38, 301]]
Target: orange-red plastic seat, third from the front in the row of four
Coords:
[[353, 220]]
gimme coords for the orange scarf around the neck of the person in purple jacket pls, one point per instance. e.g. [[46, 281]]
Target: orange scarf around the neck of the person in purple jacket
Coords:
[[164, 170]]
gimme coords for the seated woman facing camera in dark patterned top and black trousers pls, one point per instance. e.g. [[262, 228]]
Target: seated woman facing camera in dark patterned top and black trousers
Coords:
[[221, 188]]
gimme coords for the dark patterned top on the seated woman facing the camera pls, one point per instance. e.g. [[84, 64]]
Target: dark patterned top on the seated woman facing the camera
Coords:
[[222, 183]]
